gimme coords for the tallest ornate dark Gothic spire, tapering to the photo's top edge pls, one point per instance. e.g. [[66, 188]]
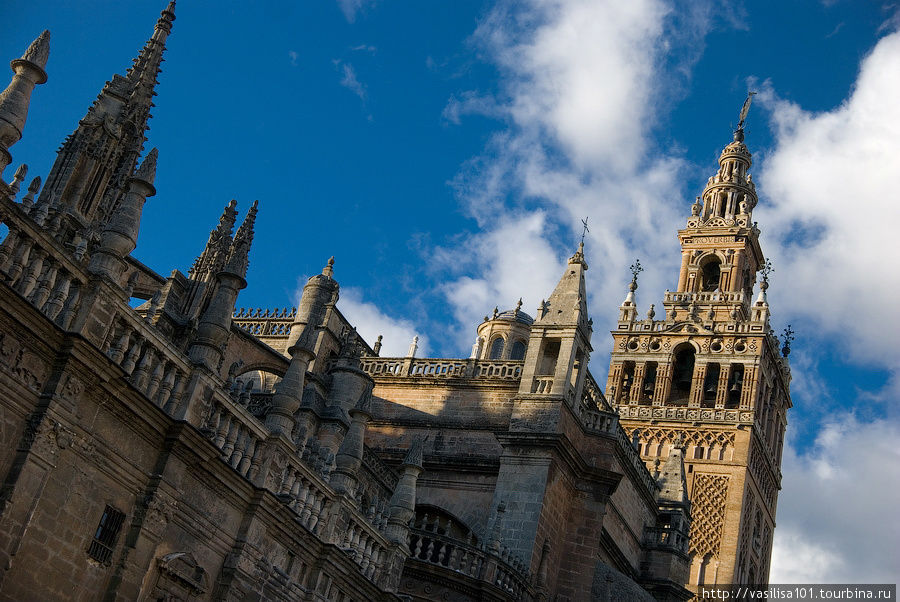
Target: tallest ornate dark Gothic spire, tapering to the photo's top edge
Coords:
[[94, 163]]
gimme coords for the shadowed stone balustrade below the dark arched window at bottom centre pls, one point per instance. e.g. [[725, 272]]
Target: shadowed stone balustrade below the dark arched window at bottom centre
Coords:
[[499, 570]]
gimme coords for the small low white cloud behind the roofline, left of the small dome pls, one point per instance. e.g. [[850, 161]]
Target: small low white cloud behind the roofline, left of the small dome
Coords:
[[370, 322]]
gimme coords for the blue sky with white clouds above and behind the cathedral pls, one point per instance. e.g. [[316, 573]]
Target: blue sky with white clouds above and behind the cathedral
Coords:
[[445, 153]]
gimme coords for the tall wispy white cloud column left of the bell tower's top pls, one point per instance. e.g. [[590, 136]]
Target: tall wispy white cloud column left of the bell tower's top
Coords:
[[582, 83]]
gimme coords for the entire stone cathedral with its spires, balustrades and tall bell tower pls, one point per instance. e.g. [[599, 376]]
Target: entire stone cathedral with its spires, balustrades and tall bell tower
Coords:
[[158, 442]]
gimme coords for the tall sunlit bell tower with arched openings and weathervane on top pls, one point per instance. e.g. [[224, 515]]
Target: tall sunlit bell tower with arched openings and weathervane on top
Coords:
[[709, 376]]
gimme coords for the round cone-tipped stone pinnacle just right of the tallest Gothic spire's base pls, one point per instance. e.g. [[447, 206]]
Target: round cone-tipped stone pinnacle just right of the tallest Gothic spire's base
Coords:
[[119, 238]]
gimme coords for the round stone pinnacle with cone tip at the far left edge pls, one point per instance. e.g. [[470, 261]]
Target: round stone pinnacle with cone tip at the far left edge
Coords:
[[14, 101]]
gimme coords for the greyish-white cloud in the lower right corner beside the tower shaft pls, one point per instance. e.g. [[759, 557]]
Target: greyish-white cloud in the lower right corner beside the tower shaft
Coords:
[[837, 512]]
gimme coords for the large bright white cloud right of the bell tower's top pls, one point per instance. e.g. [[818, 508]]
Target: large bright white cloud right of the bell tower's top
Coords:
[[831, 208]]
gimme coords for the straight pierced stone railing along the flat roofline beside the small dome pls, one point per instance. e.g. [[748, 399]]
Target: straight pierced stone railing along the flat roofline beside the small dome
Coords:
[[510, 370]]
